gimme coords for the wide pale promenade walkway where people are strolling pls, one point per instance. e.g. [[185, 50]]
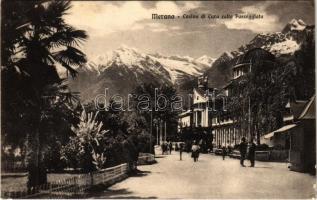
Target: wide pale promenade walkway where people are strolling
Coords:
[[211, 177]]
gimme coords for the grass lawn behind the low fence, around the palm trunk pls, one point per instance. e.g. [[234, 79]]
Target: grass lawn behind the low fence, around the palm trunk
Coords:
[[17, 181]]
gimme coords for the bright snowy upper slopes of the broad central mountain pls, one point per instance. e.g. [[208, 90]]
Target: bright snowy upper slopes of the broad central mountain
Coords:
[[172, 68]]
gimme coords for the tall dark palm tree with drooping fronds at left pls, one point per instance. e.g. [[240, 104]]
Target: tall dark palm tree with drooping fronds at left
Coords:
[[36, 41]]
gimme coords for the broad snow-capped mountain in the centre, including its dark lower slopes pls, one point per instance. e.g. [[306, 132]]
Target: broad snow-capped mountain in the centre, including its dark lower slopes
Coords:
[[125, 68]]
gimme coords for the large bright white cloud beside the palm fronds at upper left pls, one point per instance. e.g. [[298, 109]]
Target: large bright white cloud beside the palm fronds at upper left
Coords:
[[101, 18]]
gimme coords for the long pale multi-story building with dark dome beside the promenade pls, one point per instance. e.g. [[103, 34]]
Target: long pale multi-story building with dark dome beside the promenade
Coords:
[[210, 107]]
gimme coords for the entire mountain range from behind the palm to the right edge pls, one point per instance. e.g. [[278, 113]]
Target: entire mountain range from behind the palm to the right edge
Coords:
[[123, 69]]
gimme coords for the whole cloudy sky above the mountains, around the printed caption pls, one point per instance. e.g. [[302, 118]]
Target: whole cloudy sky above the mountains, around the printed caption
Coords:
[[113, 24]]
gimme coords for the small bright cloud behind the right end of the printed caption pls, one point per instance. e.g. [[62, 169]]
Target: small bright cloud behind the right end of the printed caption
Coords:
[[269, 22]]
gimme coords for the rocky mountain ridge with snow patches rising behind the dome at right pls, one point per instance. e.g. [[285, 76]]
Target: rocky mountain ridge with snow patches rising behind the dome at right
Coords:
[[280, 44]]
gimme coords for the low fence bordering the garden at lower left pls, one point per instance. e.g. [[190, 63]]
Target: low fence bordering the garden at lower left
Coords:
[[73, 187]]
